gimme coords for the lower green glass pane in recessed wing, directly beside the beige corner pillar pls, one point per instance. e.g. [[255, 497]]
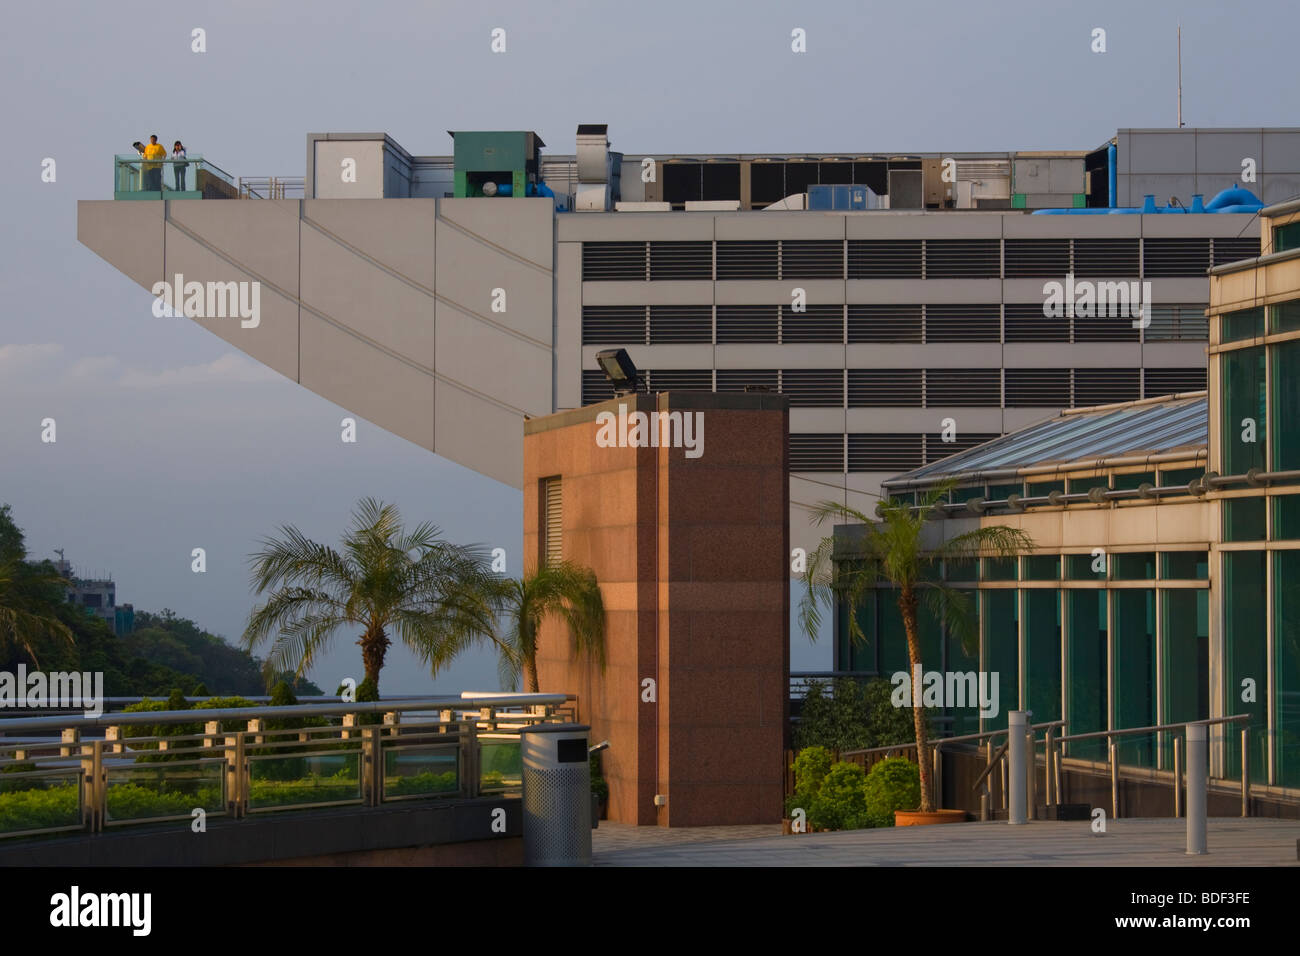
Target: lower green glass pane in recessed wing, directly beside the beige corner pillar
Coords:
[[1186, 669]]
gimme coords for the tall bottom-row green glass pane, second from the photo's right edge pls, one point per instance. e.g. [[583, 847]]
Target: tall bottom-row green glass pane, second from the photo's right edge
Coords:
[[1246, 667]]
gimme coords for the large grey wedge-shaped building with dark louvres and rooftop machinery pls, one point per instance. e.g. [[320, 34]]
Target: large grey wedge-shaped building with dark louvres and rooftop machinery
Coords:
[[895, 297]]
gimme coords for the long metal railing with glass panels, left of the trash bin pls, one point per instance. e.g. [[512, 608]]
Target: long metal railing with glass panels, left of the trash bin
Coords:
[[241, 762]]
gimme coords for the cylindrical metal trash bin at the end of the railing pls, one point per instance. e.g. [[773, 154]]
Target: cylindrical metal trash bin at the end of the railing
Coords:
[[557, 795]]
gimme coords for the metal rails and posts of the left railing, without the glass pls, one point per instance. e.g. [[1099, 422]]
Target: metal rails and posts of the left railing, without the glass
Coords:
[[457, 725]]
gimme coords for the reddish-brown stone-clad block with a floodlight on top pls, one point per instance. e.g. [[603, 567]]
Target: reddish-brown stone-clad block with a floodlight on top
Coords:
[[692, 557]]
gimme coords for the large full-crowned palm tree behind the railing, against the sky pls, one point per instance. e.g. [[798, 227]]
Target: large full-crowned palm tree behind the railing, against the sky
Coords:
[[435, 596]]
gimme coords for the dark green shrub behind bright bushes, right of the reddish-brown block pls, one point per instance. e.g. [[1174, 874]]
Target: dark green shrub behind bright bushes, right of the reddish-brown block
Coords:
[[846, 715]]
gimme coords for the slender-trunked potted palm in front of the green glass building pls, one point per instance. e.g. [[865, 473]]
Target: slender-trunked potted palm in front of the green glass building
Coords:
[[894, 550]]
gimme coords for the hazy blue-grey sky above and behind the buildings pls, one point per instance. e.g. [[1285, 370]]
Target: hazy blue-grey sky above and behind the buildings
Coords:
[[170, 440]]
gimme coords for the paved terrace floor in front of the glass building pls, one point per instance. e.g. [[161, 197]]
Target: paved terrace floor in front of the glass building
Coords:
[[1233, 842]]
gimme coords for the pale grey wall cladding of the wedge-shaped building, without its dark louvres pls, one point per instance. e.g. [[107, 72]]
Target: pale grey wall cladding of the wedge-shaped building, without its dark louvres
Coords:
[[393, 318]]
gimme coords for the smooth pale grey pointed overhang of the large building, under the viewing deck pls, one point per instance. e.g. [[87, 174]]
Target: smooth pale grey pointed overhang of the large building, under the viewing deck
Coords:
[[385, 308]]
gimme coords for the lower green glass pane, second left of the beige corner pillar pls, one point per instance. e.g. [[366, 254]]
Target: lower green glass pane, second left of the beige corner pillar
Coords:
[[1136, 672]]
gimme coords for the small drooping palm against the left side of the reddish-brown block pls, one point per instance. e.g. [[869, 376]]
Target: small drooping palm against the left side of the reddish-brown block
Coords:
[[564, 590]]
